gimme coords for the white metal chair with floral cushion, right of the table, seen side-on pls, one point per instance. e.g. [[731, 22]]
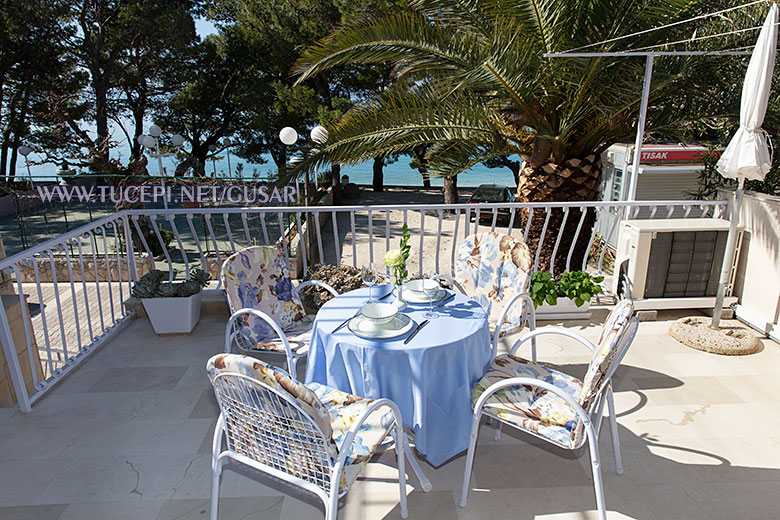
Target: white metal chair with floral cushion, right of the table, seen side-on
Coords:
[[554, 406]]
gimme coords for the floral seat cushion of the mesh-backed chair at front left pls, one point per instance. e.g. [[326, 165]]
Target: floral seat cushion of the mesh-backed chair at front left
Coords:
[[344, 410]]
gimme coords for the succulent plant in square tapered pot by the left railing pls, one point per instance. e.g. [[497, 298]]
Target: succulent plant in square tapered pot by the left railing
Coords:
[[172, 308]]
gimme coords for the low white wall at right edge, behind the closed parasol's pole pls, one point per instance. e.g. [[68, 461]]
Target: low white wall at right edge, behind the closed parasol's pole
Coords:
[[757, 282]]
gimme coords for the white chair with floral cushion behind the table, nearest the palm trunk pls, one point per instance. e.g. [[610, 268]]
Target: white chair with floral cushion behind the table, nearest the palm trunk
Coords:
[[495, 270]]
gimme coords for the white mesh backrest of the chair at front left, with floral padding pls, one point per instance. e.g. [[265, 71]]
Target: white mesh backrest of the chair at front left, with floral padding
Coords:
[[272, 419]]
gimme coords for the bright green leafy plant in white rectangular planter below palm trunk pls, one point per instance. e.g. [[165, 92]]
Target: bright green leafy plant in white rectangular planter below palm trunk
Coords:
[[567, 298]]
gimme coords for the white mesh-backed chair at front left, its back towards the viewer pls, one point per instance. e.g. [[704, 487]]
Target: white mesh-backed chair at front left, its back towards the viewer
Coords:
[[314, 437]]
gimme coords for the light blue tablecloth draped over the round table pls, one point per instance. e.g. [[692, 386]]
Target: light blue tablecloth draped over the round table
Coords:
[[430, 379]]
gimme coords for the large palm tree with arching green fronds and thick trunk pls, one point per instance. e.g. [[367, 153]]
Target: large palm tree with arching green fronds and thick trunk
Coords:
[[471, 80]]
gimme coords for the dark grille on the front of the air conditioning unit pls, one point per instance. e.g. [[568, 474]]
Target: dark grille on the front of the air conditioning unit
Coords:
[[685, 264]]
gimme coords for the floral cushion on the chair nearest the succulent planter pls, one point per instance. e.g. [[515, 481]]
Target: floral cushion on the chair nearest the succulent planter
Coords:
[[259, 278]]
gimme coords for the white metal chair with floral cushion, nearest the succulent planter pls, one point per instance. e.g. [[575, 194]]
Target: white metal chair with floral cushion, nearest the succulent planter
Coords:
[[266, 310]]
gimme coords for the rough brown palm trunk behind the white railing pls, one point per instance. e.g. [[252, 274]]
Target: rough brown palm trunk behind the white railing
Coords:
[[575, 179]]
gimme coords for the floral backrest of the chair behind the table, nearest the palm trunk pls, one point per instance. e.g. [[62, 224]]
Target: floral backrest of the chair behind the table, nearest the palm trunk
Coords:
[[492, 268]]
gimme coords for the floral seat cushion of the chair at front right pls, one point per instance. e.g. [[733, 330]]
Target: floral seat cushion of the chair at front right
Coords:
[[531, 409]]
